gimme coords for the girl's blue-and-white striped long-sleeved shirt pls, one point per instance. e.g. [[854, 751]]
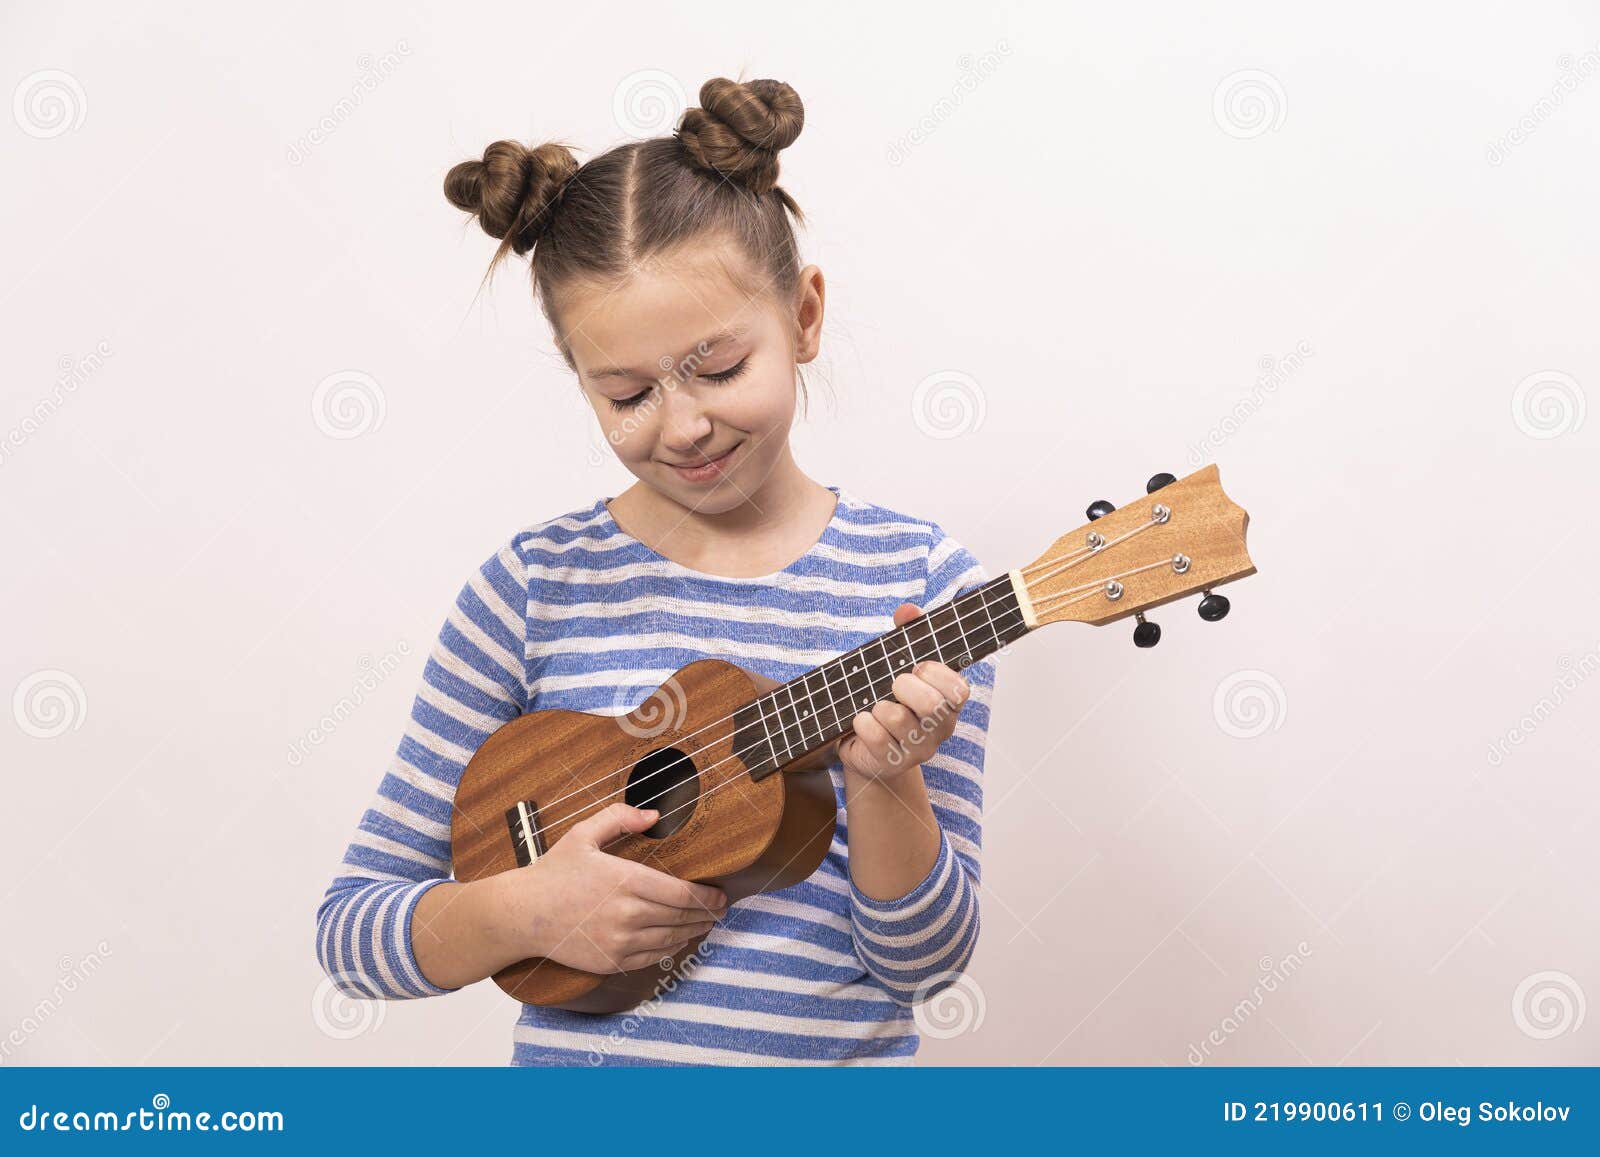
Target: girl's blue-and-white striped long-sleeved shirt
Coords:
[[577, 614]]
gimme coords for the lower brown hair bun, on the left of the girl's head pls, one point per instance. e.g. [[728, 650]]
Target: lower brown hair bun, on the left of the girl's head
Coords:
[[513, 190]]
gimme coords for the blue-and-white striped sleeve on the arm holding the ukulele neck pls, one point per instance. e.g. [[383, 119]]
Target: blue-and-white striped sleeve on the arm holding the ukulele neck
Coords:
[[919, 943]]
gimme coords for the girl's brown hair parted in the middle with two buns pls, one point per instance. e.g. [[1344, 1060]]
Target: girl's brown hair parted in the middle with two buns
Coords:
[[716, 177]]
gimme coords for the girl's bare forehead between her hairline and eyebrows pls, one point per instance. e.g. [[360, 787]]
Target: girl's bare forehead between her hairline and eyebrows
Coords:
[[660, 311]]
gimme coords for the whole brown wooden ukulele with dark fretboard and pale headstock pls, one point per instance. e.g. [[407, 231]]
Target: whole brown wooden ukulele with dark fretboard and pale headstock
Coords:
[[738, 764]]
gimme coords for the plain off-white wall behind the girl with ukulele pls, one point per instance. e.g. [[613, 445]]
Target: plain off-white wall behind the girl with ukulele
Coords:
[[1068, 204]]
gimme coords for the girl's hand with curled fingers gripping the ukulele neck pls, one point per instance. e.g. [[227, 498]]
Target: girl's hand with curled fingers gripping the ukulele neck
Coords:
[[897, 737]]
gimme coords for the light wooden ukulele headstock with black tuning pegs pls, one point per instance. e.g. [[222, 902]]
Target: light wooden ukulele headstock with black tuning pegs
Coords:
[[1183, 537]]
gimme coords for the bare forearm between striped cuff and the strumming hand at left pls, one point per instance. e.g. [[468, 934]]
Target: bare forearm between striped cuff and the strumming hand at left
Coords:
[[465, 932]]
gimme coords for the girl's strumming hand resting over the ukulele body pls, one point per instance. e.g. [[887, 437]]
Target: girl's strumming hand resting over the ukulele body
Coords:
[[585, 908]]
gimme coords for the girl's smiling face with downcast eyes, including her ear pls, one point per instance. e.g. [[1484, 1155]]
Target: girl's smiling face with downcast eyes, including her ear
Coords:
[[692, 378]]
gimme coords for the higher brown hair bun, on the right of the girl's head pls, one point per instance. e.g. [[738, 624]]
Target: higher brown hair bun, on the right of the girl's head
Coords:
[[740, 129]]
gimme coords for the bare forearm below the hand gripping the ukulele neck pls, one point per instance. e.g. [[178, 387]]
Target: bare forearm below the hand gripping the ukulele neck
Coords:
[[894, 833]]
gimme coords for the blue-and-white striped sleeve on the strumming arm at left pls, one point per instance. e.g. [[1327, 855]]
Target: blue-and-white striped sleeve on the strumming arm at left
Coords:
[[474, 681]]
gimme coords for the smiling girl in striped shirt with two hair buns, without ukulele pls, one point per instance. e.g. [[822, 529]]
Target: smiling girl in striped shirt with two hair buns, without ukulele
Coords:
[[670, 274]]
